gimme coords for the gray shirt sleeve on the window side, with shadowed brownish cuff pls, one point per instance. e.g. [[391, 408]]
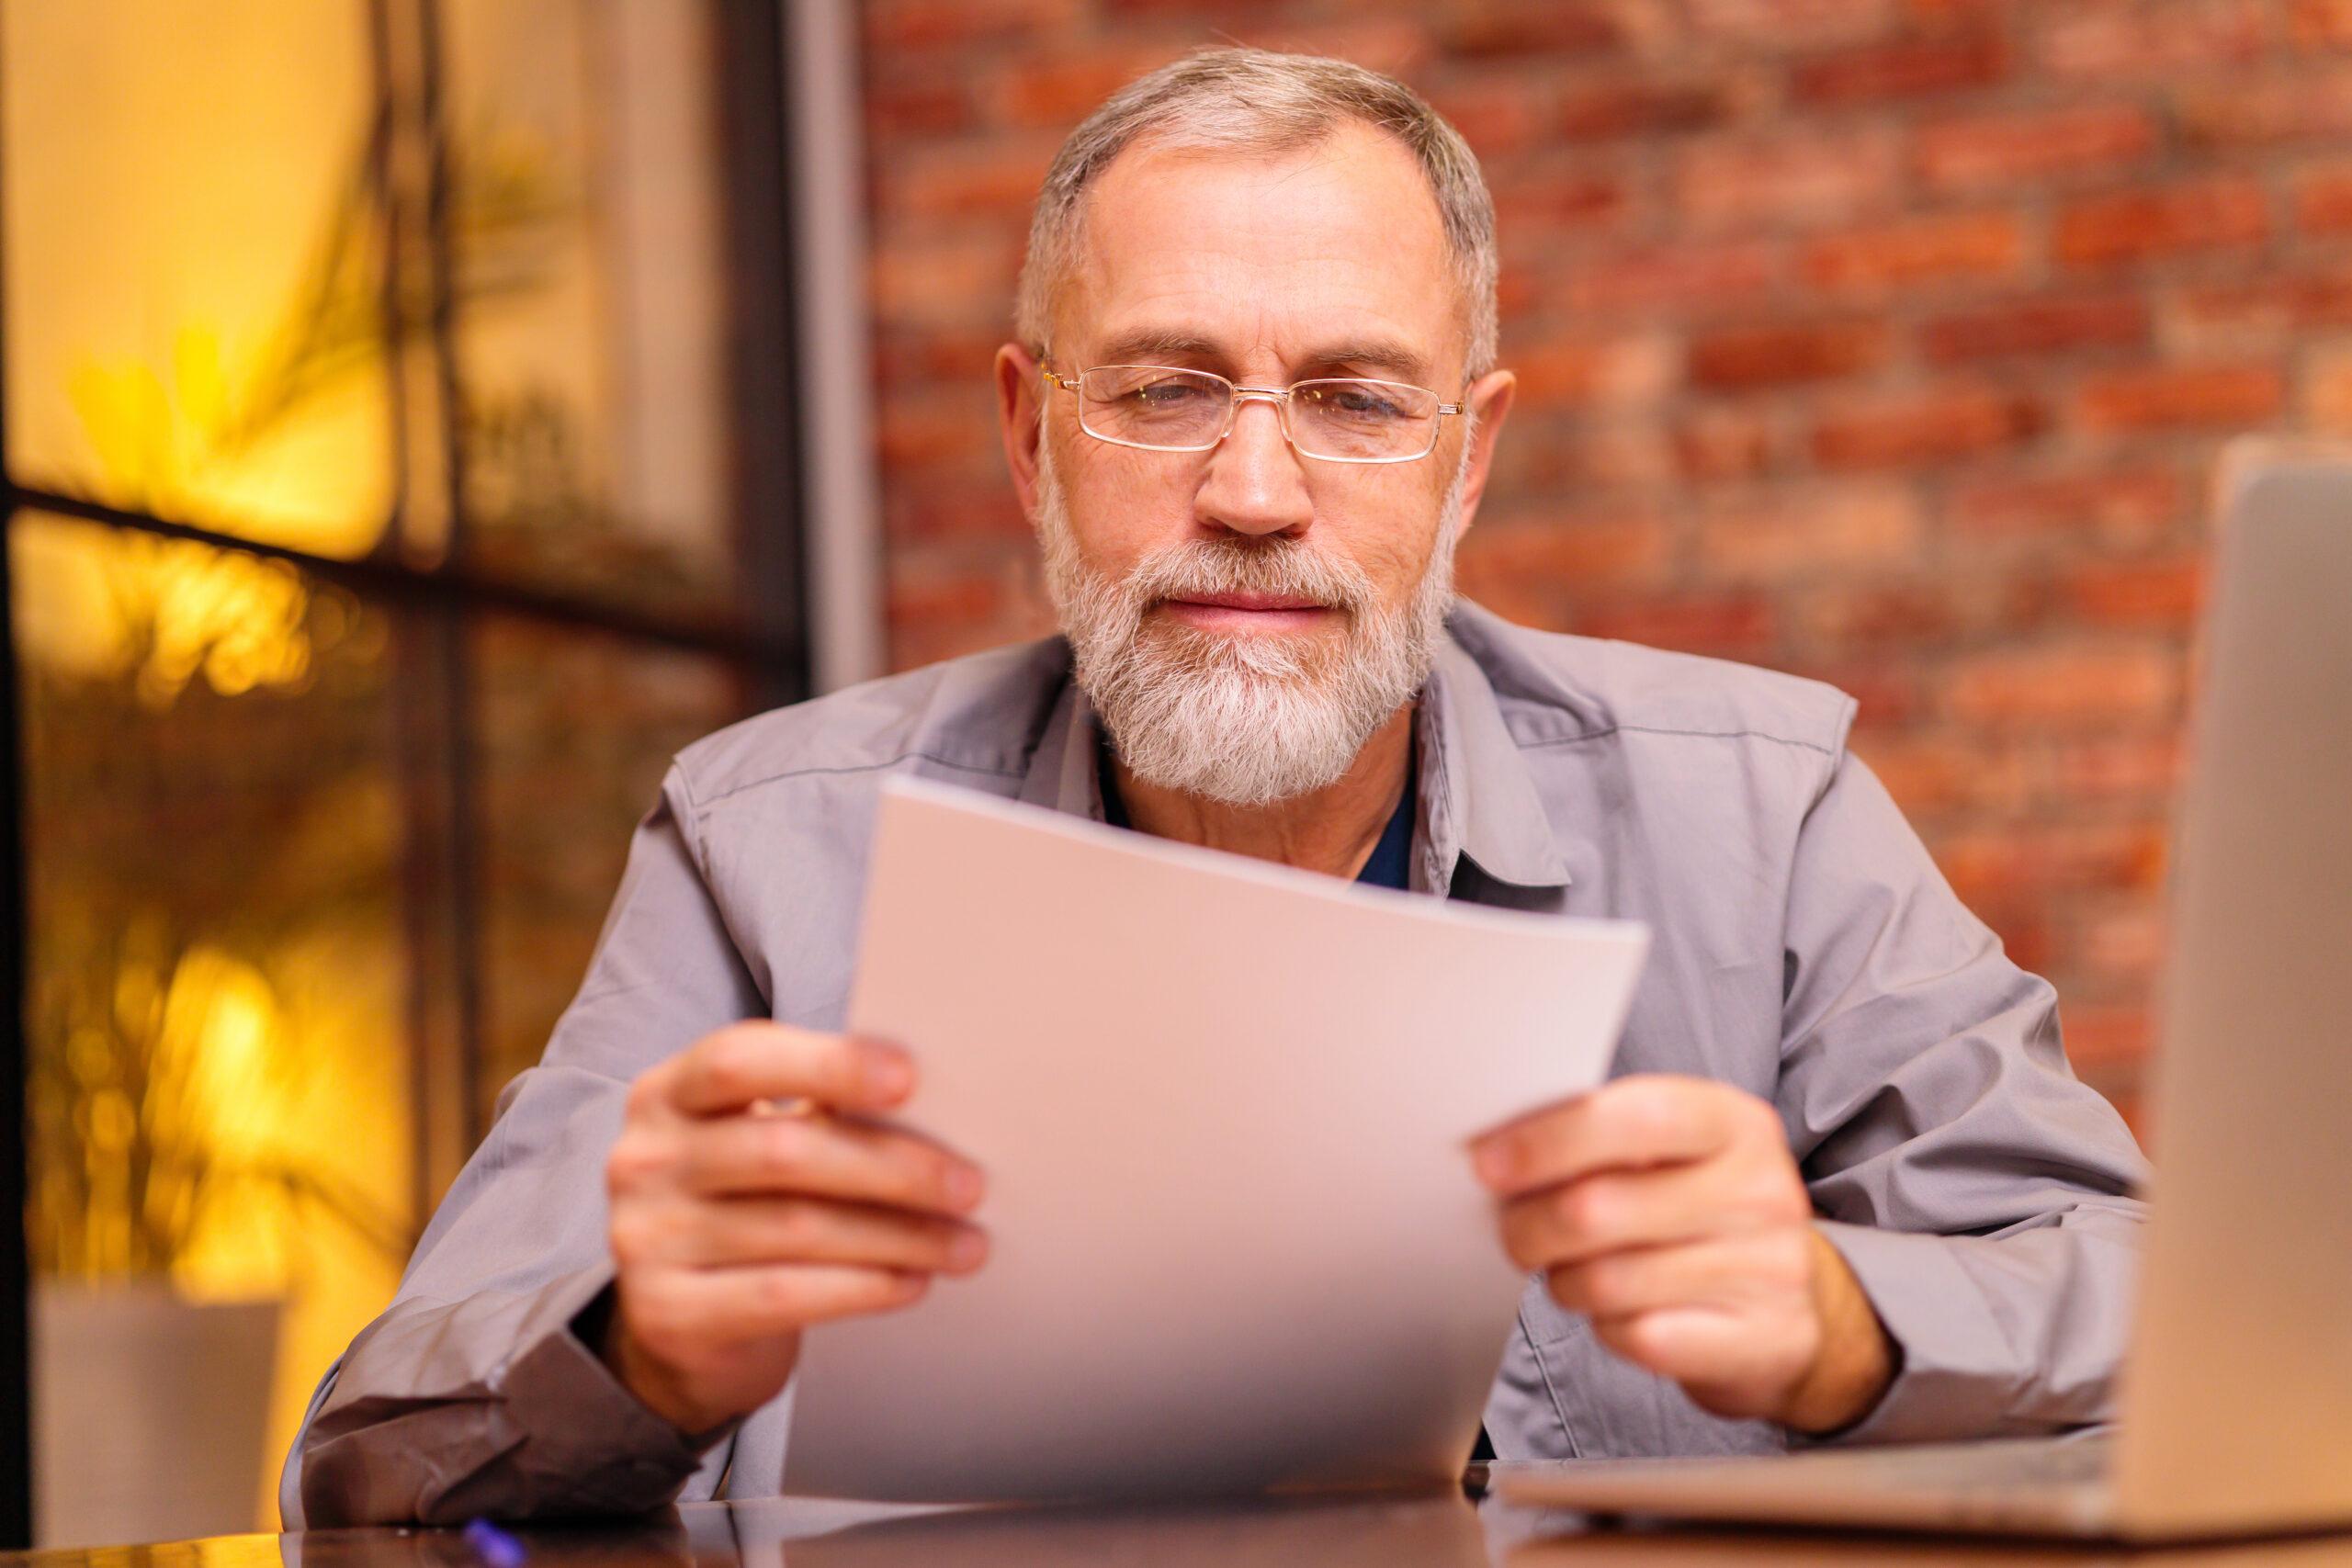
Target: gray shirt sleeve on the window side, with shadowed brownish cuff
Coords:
[[474, 1395]]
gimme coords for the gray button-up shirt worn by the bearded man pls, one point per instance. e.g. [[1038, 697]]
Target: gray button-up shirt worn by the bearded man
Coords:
[[1805, 949]]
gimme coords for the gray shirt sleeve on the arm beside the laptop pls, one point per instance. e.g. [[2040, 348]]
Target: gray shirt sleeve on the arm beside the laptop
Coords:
[[1979, 1191]]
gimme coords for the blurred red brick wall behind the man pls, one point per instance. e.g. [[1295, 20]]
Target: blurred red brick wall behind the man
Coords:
[[1878, 340]]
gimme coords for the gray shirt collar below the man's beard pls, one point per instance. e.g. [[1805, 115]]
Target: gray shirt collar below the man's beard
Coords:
[[1476, 793]]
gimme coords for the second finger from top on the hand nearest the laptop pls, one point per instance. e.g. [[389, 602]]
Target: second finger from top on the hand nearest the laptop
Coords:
[[1624, 1209]]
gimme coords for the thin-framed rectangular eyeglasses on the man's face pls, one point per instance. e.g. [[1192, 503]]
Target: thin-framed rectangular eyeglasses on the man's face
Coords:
[[1191, 410]]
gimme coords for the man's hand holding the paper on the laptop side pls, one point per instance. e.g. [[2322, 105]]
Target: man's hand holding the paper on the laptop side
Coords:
[[1671, 1214]]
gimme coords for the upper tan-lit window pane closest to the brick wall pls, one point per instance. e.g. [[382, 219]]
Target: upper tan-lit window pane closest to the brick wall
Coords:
[[589, 300]]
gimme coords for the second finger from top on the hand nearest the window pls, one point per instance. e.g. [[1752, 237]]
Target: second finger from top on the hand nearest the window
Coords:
[[829, 1158]]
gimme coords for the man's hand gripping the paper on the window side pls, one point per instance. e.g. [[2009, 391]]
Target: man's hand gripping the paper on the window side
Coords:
[[751, 1200]]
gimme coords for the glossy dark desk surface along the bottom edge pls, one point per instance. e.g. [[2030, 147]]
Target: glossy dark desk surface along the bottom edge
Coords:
[[1412, 1532]]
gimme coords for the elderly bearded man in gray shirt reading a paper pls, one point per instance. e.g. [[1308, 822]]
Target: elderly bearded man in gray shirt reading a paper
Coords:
[[1845, 1184]]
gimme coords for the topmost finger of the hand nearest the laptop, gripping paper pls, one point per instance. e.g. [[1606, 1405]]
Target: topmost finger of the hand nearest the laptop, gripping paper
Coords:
[[1619, 1127]]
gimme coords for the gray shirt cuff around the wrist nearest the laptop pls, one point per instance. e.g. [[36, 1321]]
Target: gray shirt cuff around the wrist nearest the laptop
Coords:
[[1958, 1372]]
